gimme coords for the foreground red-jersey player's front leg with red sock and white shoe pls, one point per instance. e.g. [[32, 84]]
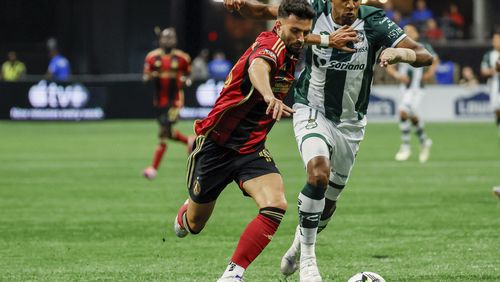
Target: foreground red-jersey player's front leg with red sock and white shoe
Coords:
[[268, 193]]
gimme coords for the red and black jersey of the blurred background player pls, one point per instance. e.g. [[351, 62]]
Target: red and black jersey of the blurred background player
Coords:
[[170, 72]]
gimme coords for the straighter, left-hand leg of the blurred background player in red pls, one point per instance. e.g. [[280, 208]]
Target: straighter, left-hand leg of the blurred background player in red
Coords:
[[164, 133]]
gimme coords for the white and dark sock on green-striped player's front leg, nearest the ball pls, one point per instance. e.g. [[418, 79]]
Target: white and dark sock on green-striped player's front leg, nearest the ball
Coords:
[[311, 205]]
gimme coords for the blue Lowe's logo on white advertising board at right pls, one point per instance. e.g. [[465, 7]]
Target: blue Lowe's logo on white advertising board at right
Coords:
[[478, 105]]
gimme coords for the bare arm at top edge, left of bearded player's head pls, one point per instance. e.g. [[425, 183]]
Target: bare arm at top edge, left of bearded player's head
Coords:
[[252, 9]]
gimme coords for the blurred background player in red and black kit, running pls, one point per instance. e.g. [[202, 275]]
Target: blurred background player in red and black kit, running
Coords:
[[168, 69]]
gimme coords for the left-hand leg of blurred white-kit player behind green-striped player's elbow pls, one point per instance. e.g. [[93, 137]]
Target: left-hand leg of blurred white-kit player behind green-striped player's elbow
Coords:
[[404, 126]]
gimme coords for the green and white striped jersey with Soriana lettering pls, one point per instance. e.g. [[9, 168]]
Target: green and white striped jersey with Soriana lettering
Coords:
[[338, 83]]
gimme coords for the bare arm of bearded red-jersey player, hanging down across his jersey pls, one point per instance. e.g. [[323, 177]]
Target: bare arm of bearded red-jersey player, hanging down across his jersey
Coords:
[[259, 72]]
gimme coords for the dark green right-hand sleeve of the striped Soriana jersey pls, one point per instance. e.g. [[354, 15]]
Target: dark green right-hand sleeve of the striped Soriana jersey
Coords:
[[387, 32]]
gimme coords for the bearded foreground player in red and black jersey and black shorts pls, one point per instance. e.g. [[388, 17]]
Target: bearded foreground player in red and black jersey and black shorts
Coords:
[[231, 141]]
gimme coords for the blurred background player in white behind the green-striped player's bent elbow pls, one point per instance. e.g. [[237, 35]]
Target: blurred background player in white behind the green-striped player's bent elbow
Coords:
[[412, 83]]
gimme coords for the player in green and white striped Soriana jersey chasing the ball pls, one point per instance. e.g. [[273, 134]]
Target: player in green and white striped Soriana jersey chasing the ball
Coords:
[[331, 99]]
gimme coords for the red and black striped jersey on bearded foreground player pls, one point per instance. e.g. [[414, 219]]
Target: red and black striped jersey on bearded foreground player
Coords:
[[238, 119]]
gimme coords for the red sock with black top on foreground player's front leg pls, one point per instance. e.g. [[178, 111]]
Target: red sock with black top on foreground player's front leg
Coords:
[[257, 235]]
